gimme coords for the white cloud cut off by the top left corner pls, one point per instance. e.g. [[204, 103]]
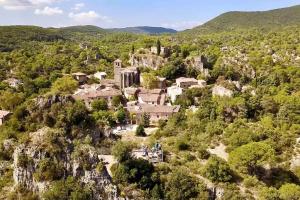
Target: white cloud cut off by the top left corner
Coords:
[[24, 4]]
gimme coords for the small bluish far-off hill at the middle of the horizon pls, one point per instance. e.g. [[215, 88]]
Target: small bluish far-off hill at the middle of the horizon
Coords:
[[144, 30]]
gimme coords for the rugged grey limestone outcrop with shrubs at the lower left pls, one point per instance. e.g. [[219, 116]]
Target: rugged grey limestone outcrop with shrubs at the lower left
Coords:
[[73, 162]]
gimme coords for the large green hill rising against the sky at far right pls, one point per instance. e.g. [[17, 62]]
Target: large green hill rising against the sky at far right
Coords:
[[260, 19]]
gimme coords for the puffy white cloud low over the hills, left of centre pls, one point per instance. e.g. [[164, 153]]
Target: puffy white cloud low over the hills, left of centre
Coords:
[[89, 17]]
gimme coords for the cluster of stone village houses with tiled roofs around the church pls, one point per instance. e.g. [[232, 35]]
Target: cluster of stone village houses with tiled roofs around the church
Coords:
[[157, 103]]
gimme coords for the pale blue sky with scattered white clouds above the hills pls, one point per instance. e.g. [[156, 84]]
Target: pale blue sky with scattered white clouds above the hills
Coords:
[[177, 14]]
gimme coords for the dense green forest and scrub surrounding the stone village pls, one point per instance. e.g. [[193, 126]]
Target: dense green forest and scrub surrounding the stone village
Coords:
[[255, 130]]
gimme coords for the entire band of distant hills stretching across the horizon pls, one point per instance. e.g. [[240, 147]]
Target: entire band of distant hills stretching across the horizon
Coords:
[[277, 18]]
